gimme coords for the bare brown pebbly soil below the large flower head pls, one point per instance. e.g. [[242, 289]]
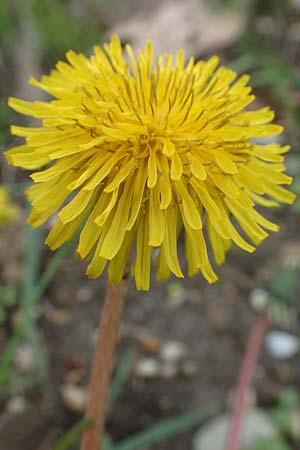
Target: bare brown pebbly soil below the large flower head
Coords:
[[212, 322]]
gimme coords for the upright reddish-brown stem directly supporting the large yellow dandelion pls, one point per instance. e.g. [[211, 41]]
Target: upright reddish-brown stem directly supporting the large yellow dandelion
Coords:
[[102, 367]]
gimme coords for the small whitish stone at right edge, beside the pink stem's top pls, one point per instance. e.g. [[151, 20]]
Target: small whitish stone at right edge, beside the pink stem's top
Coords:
[[281, 345]]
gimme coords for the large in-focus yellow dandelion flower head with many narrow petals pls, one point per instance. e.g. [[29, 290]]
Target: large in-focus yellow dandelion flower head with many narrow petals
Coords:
[[140, 153]]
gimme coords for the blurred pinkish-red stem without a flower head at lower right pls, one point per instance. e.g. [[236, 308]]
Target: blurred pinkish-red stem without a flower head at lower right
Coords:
[[245, 379]]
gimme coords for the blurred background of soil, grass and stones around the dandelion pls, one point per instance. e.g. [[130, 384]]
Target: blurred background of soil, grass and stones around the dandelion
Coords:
[[181, 344]]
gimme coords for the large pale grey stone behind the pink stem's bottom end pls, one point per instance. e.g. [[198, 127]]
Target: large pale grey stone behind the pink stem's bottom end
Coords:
[[213, 435]]
